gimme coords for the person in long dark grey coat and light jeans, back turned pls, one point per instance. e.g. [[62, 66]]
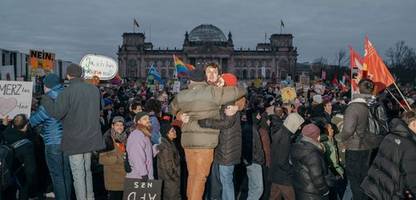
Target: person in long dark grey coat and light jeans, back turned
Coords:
[[78, 108]]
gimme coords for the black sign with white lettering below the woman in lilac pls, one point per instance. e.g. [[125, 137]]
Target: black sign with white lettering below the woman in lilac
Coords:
[[134, 189]]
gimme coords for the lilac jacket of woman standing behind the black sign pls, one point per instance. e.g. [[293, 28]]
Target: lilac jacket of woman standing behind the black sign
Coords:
[[140, 155]]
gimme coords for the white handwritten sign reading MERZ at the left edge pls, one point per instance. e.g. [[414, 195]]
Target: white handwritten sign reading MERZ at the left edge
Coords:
[[15, 98]]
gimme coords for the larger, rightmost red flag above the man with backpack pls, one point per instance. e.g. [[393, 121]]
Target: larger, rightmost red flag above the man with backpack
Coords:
[[375, 67]]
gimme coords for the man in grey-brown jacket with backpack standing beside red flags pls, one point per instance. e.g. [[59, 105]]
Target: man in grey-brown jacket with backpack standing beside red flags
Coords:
[[358, 142]]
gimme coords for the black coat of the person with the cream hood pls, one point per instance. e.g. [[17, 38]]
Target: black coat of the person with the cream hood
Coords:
[[280, 170]]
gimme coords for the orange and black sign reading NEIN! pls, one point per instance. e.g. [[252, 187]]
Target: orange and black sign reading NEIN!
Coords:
[[41, 62]]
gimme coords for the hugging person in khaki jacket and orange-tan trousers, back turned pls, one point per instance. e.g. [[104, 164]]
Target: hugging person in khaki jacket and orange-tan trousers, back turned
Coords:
[[201, 101]]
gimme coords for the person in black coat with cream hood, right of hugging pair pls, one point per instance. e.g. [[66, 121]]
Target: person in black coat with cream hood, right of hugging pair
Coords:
[[280, 170]]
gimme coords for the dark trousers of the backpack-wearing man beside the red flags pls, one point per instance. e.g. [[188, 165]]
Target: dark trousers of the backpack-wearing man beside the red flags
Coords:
[[357, 164]]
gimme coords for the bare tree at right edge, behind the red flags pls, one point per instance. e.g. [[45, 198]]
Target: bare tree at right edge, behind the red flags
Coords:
[[401, 55]]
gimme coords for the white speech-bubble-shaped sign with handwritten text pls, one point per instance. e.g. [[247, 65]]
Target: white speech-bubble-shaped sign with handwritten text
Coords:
[[96, 65]]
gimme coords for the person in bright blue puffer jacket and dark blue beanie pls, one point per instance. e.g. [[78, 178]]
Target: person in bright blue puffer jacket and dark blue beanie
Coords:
[[52, 130]]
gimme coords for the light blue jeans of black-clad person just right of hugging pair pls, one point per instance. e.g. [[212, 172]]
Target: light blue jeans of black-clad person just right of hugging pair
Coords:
[[255, 181]]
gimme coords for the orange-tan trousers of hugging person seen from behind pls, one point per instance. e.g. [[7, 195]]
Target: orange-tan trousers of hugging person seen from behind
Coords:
[[199, 164]]
